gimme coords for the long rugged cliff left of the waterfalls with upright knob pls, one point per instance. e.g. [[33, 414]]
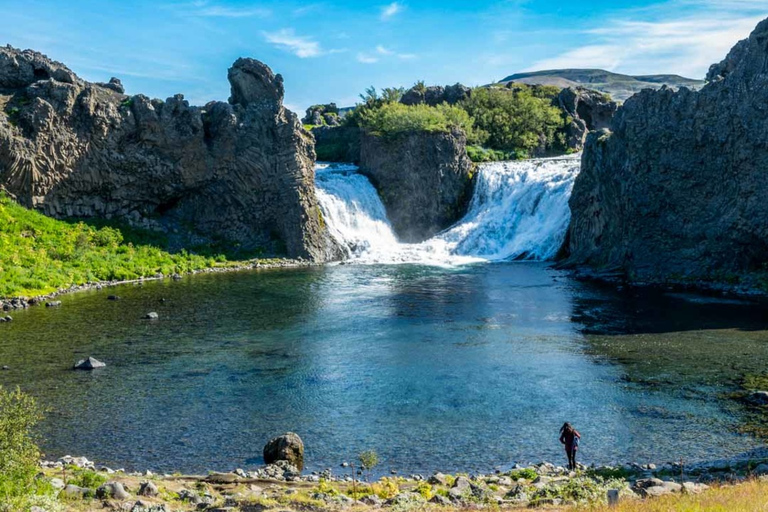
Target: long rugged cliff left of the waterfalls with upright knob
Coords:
[[240, 174]]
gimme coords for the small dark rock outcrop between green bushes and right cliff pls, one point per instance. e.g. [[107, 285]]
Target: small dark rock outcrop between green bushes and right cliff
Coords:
[[587, 110]]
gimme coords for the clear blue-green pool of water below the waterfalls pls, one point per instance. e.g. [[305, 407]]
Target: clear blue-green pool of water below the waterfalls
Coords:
[[469, 369]]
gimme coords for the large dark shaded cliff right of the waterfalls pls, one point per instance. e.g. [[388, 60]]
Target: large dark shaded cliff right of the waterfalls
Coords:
[[675, 190]]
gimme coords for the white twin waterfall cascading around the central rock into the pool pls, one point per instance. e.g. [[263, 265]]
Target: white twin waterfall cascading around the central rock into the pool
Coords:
[[519, 210]]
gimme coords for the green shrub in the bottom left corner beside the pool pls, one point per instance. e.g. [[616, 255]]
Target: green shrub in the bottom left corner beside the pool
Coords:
[[19, 454]]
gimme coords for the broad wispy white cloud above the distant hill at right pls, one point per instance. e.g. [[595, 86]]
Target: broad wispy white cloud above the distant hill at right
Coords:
[[685, 46]]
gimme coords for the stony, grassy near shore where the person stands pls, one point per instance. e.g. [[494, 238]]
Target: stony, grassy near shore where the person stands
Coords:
[[79, 485]]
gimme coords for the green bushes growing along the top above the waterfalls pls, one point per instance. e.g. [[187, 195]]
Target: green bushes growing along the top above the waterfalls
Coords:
[[500, 123]]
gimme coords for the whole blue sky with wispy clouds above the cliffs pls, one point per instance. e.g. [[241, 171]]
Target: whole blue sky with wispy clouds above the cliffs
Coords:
[[332, 50]]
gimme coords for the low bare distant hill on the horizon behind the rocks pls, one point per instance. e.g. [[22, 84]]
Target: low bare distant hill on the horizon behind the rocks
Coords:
[[619, 86]]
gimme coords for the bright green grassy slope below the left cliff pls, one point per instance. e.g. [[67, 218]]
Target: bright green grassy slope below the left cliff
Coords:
[[39, 255]]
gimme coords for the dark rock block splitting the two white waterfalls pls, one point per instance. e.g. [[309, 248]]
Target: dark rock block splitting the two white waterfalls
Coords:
[[424, 180]]
